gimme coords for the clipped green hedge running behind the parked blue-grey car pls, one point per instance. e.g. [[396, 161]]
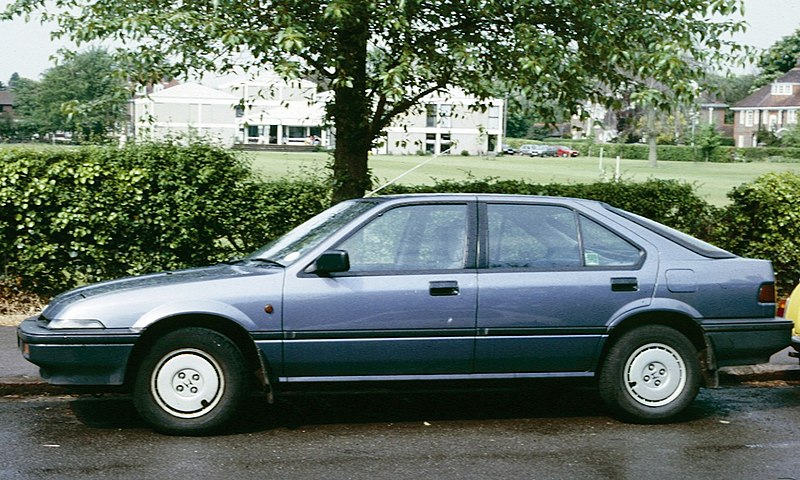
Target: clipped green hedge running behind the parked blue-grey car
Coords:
[[73, 216]]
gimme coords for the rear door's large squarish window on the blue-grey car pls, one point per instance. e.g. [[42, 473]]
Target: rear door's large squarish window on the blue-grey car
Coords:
[[532, 236]]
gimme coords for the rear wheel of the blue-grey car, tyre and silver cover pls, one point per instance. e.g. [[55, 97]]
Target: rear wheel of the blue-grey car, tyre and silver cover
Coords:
[[650, 375]]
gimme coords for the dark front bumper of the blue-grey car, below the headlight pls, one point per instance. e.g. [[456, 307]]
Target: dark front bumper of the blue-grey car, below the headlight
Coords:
[[79, 356]]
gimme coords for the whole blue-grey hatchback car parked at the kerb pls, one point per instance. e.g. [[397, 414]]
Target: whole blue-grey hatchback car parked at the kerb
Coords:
[[423, 287]]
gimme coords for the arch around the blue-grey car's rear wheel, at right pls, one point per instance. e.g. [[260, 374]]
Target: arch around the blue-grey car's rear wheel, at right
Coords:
[[680, 322]]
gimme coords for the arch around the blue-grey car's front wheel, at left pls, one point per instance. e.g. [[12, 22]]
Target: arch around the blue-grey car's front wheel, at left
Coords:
[[232, 330]]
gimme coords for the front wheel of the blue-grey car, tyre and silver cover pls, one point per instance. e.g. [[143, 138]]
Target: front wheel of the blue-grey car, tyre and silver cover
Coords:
[[190, 382]]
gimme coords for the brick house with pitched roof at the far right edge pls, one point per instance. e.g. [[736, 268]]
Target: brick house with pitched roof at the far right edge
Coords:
[[773, 107]]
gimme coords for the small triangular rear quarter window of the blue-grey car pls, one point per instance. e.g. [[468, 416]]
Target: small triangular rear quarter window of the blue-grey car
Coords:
[[602, 247]]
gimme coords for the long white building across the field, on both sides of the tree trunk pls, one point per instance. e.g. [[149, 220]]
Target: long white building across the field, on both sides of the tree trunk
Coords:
[[271, 111]]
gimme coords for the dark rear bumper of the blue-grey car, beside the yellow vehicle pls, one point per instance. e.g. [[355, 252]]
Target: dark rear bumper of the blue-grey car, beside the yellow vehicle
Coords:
[[748, 342]]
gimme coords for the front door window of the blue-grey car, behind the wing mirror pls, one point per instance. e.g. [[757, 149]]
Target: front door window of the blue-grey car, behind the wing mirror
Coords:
[[417, 237]]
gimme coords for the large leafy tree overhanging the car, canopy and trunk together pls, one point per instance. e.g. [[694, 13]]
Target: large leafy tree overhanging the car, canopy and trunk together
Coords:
[[380, 58]]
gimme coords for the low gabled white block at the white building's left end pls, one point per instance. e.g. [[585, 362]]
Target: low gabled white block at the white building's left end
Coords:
[[186, 110]]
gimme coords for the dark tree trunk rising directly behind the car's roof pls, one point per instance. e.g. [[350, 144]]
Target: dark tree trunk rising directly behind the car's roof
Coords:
[[351, 109]]
